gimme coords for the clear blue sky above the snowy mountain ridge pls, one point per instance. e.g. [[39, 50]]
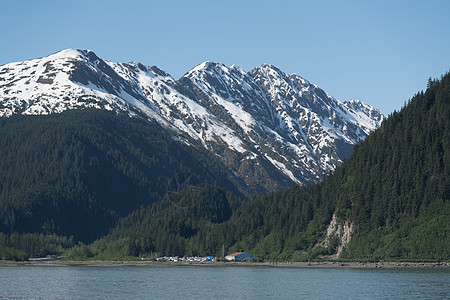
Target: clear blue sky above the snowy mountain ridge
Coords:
[[381, 52]]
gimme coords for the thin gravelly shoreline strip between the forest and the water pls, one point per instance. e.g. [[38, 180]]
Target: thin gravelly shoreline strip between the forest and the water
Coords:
[[322, 264]]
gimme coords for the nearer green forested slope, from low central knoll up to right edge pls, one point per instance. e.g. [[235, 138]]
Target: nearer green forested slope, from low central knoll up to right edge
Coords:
[[393, 191]]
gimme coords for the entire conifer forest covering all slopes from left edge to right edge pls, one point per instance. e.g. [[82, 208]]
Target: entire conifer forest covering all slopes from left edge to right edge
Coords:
[[393, 192]]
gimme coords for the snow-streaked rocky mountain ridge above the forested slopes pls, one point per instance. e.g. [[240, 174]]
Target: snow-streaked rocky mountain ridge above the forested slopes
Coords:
[[269, 127]]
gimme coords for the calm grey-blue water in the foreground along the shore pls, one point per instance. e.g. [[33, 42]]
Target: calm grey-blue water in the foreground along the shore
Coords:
[[41, 282]]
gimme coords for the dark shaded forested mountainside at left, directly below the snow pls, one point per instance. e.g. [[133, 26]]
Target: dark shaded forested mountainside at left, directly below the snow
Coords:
[[76, 173]]
